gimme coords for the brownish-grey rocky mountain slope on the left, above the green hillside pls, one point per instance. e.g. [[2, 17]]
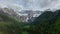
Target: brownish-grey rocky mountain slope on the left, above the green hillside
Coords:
[[9, 12]]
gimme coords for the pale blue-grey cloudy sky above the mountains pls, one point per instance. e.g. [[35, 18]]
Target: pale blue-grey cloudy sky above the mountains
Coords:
[[30, 4]]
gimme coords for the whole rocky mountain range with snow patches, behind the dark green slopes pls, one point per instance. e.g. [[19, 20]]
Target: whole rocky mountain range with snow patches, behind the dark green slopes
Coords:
[[23, 15]]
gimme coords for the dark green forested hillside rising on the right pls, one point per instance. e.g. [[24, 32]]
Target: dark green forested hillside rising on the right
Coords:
[[48, 23]]
